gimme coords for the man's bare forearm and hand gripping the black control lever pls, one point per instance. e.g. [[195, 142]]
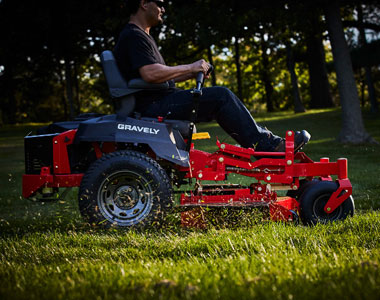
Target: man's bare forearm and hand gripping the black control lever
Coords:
[[157, 73]]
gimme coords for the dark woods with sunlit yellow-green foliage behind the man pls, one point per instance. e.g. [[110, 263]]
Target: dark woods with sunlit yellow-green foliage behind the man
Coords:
[[274, 54]]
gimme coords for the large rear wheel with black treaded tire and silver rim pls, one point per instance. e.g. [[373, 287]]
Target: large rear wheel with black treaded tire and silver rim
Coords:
[[125, 189]]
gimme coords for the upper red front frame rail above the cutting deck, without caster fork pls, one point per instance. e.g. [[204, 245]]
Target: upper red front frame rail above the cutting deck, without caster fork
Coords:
[[280, 167]]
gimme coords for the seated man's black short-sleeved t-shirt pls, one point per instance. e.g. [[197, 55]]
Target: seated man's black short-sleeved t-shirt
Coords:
[[135, 49]]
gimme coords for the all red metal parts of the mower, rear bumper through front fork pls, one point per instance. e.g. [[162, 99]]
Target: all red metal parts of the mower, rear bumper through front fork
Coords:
[[272, 170]]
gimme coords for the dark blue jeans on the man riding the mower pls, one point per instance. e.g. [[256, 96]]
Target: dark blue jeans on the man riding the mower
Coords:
[[220, 104]]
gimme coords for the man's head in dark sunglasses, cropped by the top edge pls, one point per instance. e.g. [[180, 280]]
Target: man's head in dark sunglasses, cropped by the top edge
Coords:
[[152, 10]]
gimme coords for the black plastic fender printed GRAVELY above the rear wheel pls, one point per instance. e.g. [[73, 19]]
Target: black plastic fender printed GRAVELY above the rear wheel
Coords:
[[112, 128]]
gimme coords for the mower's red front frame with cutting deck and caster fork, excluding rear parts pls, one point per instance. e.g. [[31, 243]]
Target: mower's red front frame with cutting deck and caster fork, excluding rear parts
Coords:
[[271, 170]]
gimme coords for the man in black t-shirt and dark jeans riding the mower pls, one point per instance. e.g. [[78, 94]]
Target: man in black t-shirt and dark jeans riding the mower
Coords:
[[138, 57]]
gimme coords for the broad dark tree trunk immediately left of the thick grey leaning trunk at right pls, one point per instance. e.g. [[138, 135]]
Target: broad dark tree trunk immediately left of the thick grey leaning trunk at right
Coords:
[[319, 84]]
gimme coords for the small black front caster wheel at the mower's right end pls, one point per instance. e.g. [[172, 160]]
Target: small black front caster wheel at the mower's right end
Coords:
[[314, 199]]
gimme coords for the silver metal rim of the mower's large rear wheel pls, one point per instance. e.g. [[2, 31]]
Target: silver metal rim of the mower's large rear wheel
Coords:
[[125, 198]]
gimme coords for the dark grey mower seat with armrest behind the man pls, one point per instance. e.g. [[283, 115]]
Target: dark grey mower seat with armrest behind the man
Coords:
[[123, 93]]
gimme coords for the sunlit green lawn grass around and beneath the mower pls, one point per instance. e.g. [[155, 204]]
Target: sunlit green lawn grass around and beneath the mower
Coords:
[[47, 252]]
